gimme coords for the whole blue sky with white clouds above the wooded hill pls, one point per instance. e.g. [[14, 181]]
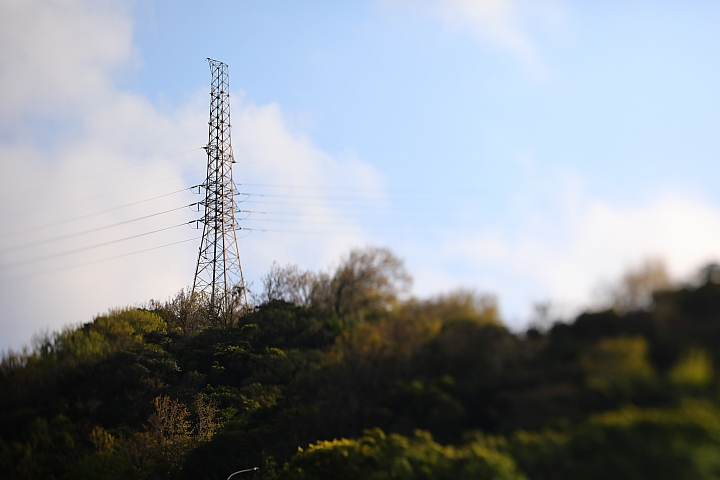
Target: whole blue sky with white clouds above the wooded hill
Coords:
[[531, 150]]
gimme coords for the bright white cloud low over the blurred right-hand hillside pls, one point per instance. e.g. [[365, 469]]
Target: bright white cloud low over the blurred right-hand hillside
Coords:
[[594, 243]]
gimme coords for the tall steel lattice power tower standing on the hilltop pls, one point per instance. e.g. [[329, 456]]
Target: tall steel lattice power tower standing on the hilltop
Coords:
[[218, 275]]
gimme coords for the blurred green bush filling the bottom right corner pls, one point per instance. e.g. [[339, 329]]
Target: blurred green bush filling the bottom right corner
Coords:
[[678, 443]]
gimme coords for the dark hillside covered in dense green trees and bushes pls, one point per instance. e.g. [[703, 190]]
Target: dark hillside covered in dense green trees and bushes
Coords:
[[337, 375]]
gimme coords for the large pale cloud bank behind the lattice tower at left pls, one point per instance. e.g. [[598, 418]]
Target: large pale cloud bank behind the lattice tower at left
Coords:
[[57, 60]]
